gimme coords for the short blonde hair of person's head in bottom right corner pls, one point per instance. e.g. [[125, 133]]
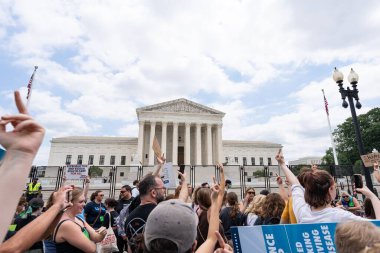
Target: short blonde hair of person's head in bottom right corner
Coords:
[[354, 236]]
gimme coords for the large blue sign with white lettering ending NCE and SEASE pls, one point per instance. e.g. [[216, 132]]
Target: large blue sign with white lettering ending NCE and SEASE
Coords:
[[292, 238]]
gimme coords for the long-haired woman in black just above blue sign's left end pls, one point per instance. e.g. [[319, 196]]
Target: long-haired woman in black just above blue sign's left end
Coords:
[[231, 215]]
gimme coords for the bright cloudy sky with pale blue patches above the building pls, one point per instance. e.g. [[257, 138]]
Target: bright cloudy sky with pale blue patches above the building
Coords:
[[263, 63]]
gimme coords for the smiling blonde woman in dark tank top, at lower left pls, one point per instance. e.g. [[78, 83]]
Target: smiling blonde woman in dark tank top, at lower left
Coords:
[[73, 234]]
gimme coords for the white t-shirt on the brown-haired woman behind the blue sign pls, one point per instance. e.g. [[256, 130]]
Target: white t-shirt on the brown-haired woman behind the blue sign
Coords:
[[304, 214]]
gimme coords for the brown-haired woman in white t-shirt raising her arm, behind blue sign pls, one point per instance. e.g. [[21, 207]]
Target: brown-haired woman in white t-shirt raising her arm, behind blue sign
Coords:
[[312, 203]]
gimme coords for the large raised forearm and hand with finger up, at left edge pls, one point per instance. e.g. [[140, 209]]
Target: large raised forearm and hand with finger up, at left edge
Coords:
[[22, 144]]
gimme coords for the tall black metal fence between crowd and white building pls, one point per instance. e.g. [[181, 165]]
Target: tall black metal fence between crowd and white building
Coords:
[[259, 176]]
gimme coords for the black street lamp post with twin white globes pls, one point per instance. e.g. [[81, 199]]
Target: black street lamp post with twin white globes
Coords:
[[352, 94]]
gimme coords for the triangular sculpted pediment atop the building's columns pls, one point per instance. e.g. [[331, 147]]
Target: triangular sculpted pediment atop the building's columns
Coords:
[[180, 106]]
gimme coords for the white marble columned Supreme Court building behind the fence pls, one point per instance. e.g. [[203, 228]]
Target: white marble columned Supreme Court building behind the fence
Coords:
[[188, 133]]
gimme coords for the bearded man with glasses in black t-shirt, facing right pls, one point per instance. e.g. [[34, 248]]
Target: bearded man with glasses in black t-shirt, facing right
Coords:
[[152, 191]]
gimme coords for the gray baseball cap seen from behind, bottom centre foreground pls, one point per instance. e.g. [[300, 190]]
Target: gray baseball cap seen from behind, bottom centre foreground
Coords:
[[172, 220]]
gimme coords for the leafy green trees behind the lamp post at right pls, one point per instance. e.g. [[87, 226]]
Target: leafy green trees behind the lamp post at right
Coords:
[[345, 138]]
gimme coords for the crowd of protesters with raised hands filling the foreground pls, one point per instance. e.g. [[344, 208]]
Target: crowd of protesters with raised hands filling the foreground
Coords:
[[146, 219]]
